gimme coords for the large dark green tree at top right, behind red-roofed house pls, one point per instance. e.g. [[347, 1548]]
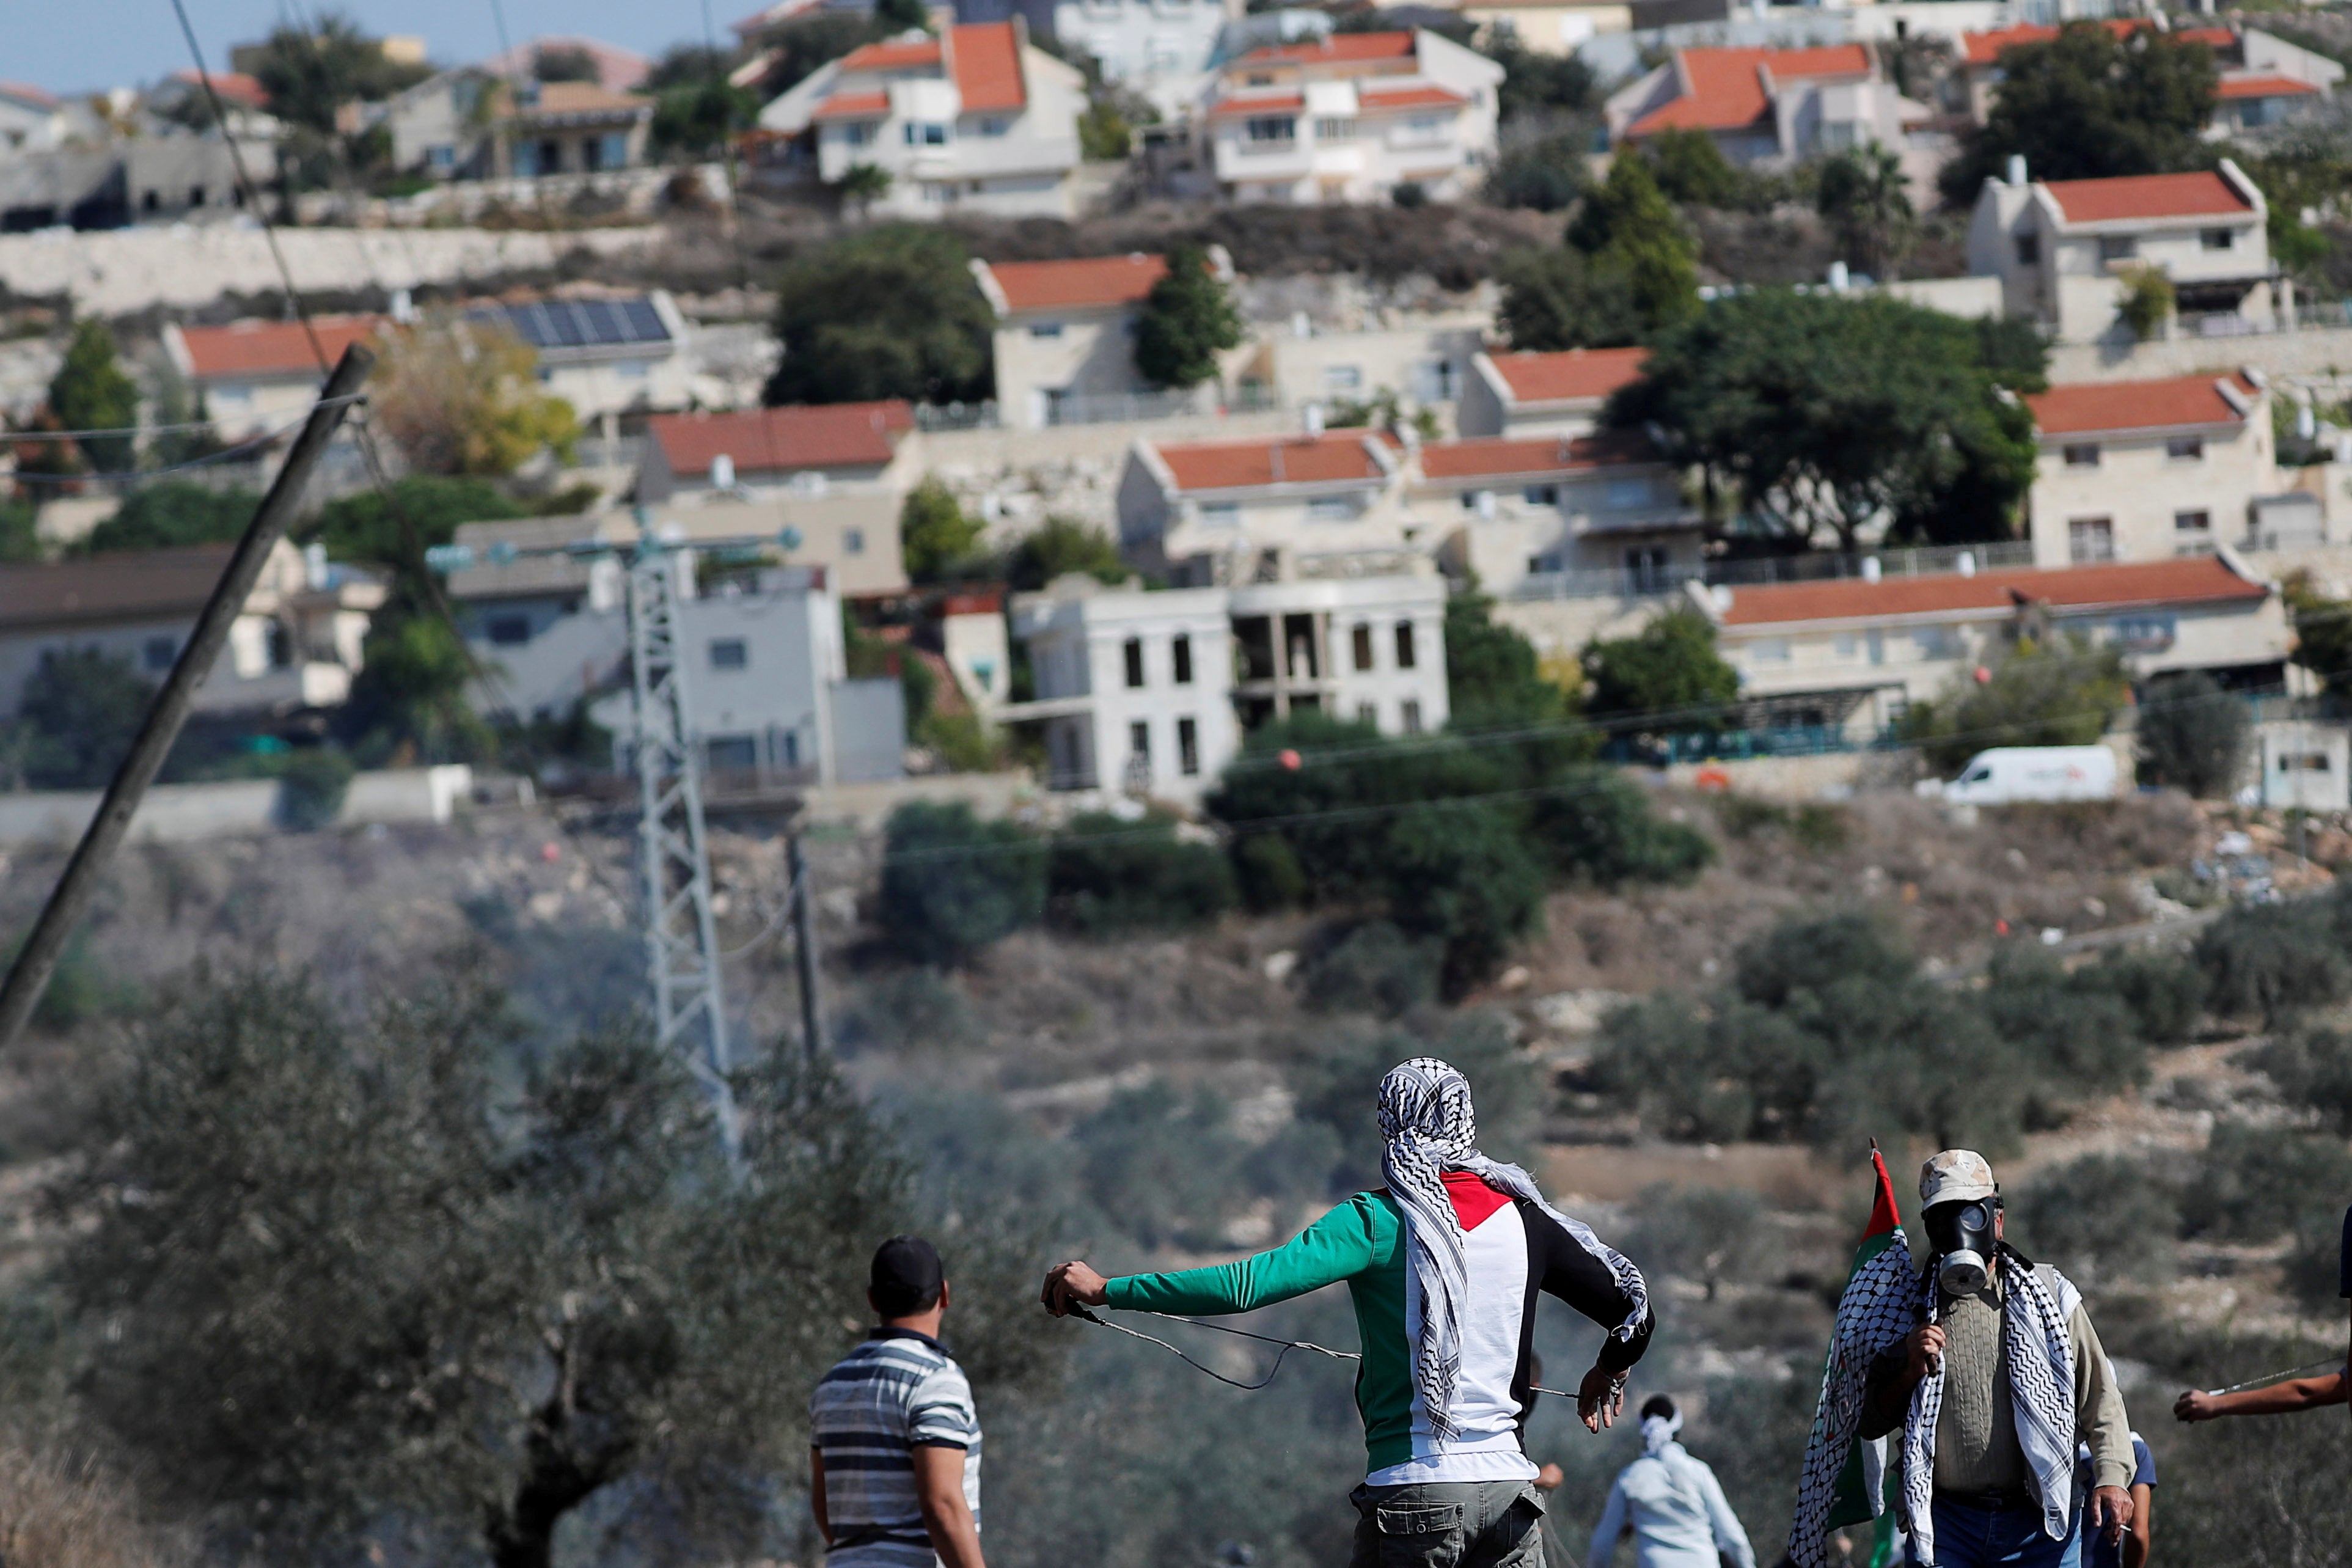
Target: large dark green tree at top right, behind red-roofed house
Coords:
[[2090, 105]]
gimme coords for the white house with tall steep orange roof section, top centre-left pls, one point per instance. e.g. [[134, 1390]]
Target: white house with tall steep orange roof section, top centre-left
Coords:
[[973, 119]]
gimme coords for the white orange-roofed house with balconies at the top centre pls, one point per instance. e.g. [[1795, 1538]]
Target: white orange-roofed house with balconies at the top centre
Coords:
[[1351, 119]]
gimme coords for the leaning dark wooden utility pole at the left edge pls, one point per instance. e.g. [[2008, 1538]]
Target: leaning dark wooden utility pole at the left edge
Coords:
[[105, 836]]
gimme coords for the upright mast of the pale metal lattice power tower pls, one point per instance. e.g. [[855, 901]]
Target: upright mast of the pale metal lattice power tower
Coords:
[[681, 930]]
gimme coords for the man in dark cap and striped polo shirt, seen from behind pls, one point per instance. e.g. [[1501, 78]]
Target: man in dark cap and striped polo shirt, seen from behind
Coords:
[[895, 1442]]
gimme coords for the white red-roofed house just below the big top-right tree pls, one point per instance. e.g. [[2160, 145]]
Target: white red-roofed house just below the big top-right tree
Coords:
[[2064, 248]]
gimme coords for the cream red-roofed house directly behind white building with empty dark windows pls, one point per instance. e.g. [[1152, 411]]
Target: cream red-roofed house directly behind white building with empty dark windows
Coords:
[[1274, 507]]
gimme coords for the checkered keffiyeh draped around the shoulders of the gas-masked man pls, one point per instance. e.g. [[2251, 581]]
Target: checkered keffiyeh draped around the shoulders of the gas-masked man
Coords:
[[1880, 1306]]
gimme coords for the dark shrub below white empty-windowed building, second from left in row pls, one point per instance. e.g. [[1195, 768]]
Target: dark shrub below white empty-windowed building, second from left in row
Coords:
[[1107, 876]]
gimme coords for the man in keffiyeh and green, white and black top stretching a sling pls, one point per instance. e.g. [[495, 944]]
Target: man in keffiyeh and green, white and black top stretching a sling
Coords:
[[1443, 1266]]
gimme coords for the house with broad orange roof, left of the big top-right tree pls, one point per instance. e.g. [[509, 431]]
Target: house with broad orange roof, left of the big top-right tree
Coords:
[[1775, 107]]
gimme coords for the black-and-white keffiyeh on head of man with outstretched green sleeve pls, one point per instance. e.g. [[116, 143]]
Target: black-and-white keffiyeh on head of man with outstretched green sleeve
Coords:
[[1429, 1130]]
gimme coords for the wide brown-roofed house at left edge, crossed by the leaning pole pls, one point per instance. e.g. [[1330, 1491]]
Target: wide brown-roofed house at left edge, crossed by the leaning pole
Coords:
[[293, 648]]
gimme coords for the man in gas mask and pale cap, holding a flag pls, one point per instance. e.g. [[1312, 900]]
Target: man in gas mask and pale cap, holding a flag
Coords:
[[1993, 1391]]
